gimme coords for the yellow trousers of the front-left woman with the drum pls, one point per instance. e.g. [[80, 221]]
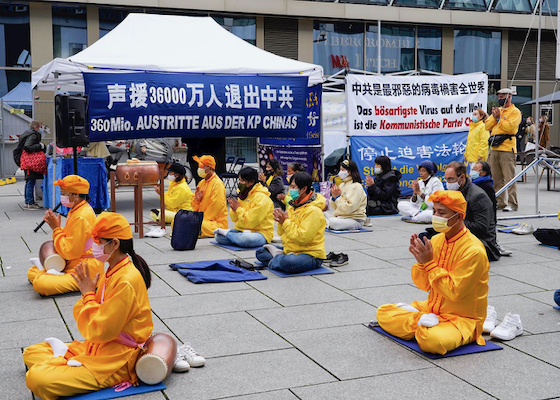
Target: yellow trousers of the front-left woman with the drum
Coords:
[[50, 378]]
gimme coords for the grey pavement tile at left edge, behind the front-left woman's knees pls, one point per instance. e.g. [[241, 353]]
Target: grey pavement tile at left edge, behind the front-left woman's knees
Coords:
[[25, 333]]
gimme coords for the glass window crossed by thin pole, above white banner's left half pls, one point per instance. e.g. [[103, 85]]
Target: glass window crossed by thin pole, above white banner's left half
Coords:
[[397, 48]]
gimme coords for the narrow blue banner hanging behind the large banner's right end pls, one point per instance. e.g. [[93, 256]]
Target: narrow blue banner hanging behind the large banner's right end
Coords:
[[313, 130]]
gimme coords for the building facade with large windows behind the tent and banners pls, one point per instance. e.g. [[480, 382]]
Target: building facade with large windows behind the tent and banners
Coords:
[[445, 36]]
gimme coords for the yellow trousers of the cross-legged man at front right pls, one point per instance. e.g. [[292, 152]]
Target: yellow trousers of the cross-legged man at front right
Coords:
[[439, 339]]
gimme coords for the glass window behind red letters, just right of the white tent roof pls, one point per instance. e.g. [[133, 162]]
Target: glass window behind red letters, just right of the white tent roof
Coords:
[[338, 45]]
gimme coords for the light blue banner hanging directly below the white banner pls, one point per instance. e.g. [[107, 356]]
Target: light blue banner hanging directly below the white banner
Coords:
[[406, 152]]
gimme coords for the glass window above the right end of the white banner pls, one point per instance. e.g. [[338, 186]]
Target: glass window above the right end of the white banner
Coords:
[[477, 50]]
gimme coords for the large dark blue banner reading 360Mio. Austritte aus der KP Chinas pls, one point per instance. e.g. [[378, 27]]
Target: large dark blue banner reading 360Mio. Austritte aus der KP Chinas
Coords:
[[142, 105]]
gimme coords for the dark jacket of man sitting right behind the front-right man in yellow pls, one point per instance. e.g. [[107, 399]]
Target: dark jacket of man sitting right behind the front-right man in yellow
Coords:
[[480, 219]]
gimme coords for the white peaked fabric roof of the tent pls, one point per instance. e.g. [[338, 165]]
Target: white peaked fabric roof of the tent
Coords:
[[165, 43]]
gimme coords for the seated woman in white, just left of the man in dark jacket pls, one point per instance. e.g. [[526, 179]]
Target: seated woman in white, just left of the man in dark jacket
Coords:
[[419, 209]]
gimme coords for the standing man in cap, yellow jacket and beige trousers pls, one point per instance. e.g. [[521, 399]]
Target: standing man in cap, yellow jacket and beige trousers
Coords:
[[503, 124]]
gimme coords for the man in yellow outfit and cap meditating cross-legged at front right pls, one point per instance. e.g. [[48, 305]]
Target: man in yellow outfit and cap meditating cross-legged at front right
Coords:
[[453, 269]]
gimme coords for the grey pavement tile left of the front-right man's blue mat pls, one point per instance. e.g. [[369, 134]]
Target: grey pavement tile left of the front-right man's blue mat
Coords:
[[361, 353]]
